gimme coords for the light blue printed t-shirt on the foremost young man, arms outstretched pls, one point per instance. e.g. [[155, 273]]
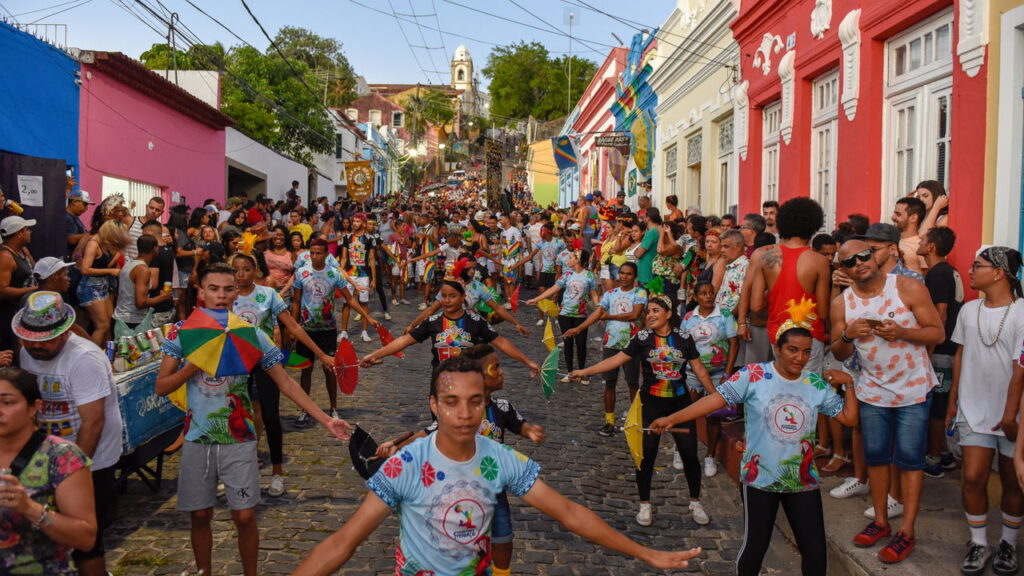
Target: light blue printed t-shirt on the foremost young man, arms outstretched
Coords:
[[446, 508]]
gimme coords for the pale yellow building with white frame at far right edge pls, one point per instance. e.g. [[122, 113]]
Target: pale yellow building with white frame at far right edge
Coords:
[[1005, 135]]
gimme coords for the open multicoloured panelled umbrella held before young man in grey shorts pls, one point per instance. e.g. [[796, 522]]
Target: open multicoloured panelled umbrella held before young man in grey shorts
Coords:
[[220, 343]]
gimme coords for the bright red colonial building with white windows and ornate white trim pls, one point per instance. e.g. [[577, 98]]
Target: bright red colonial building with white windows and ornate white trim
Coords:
[[856, 102]]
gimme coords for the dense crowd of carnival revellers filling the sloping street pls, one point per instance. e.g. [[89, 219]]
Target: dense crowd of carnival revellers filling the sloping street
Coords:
[[854, 347]]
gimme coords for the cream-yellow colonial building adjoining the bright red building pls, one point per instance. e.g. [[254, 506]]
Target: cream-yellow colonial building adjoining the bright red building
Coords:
[[694, 76]]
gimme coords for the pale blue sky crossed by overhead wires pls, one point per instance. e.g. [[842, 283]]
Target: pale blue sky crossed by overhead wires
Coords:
[[372, 37]]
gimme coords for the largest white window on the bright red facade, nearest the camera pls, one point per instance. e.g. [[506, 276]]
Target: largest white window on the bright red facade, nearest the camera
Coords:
[[918, 113]]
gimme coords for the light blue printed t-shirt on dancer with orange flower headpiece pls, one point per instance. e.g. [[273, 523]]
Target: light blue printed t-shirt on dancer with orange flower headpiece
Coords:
[[782, 417]]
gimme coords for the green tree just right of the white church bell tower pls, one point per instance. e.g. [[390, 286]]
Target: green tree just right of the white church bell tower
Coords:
[[527, 81]]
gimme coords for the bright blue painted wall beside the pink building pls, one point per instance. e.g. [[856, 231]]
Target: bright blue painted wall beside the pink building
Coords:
[[39, 99]]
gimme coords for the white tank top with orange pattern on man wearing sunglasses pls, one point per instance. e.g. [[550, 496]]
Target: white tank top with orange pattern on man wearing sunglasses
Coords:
[[892, 375]]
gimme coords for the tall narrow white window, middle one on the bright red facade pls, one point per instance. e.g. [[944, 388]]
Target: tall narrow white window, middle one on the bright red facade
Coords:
[[825, 126]]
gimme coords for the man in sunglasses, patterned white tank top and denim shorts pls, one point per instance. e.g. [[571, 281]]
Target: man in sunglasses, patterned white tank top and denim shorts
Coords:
[[890, 321]]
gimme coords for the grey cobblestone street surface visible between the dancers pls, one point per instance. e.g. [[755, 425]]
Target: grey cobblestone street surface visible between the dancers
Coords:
[[323, 490]]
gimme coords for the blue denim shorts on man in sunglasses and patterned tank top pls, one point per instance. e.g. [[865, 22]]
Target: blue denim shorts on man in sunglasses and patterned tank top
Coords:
[[898, 436]]
